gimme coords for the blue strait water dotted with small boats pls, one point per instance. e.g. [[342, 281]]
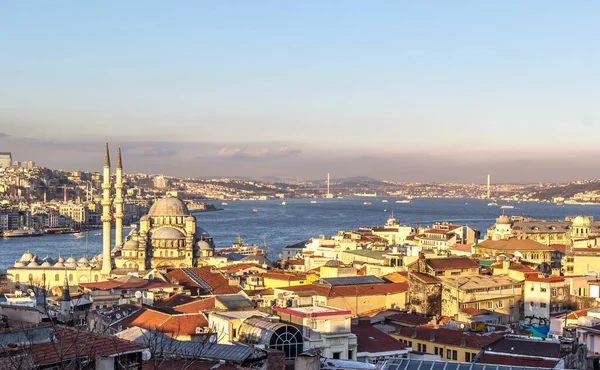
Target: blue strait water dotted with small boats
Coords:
[[299, 220]]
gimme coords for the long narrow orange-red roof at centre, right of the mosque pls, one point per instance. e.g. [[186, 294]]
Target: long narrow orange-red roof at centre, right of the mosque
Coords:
[[350, 290]]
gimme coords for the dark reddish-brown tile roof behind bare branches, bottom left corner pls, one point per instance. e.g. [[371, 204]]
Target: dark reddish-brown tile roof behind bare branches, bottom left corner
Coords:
[[71, 343]]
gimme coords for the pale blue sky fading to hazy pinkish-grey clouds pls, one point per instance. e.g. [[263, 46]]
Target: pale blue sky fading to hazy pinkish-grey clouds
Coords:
[[396, 90]]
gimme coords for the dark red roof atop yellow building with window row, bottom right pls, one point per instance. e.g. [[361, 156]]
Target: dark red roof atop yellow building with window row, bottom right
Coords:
[[448, 336]]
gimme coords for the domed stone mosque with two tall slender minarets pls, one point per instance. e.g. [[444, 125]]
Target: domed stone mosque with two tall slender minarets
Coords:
[[168, 237]]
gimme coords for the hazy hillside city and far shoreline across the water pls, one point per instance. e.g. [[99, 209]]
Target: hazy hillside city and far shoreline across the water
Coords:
[[41, 198]]
